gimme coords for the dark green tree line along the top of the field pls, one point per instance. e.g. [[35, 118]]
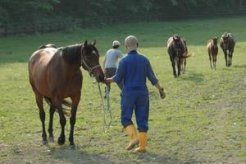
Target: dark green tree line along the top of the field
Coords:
[[110, 11]]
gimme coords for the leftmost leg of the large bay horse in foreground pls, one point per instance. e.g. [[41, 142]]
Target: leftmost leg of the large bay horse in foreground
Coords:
[[39, 101]]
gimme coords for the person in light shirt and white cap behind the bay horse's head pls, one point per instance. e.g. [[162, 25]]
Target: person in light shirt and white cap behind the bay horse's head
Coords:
[[112, 56]]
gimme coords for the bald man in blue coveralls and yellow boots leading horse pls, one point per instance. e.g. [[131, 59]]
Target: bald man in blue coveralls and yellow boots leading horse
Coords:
[[133, 70]]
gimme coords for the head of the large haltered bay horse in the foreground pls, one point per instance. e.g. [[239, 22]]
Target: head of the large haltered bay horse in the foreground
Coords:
[[90, 60]]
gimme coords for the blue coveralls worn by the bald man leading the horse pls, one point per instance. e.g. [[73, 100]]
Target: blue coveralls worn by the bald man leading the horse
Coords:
[[133, 71]]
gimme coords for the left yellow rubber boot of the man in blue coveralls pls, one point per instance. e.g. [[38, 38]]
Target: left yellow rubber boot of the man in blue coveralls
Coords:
[[132, 133]]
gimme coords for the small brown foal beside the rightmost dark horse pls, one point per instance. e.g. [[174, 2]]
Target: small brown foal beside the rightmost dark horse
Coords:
[[212, 51]]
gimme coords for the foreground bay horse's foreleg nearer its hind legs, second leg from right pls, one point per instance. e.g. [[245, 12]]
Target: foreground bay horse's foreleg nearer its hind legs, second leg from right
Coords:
[[61, 139]]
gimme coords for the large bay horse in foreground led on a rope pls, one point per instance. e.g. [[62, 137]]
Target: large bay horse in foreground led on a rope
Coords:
[[55, 74]]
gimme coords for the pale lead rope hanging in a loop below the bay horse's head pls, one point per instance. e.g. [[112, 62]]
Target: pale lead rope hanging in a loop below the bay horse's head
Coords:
[[106, 107]]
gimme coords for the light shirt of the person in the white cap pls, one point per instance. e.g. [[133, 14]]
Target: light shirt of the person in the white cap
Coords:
[[111, 58]]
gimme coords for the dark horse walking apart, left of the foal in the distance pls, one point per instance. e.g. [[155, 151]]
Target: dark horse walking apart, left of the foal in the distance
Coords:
[[178, 52]]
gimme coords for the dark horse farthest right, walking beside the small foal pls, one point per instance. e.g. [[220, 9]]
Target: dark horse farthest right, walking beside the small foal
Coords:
[[227, 43]]
